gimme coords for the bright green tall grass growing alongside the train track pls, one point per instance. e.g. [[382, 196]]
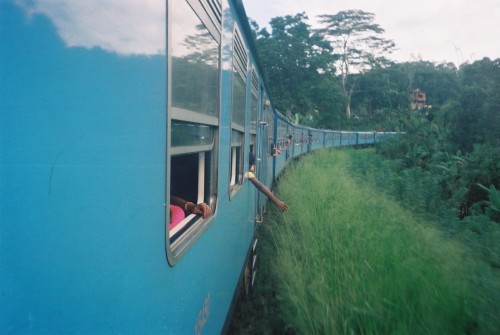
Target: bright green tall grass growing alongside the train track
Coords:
[[346, 259]]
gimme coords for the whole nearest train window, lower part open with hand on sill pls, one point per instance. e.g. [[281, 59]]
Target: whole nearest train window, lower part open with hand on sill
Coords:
[[194, 37]]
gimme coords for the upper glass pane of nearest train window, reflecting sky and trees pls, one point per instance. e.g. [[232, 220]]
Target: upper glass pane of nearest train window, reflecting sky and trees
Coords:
[[195, 62]]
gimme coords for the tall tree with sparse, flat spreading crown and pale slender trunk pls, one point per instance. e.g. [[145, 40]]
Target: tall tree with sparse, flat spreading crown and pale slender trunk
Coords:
[[358, 42]]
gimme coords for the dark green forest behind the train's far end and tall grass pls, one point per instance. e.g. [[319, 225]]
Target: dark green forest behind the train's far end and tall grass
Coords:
[[340, 77]]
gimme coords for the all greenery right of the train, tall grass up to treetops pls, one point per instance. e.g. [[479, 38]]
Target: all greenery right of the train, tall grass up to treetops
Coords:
[[404, 241]]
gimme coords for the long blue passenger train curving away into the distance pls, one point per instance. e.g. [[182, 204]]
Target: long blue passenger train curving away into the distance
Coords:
[[108, 109]]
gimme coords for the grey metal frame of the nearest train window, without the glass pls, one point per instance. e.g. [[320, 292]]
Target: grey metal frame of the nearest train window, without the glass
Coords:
[[208, 13]]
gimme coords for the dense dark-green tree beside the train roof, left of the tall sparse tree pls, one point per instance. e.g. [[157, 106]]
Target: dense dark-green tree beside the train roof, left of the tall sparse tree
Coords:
[[295, 61]]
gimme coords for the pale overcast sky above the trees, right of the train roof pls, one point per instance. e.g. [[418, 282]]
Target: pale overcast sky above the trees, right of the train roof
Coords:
[[457, 31]]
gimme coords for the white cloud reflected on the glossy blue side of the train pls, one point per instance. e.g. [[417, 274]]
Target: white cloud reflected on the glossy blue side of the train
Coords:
[[124, 27]]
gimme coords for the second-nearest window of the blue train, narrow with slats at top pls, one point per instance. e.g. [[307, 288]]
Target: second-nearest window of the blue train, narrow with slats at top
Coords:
[[240, 63]]
